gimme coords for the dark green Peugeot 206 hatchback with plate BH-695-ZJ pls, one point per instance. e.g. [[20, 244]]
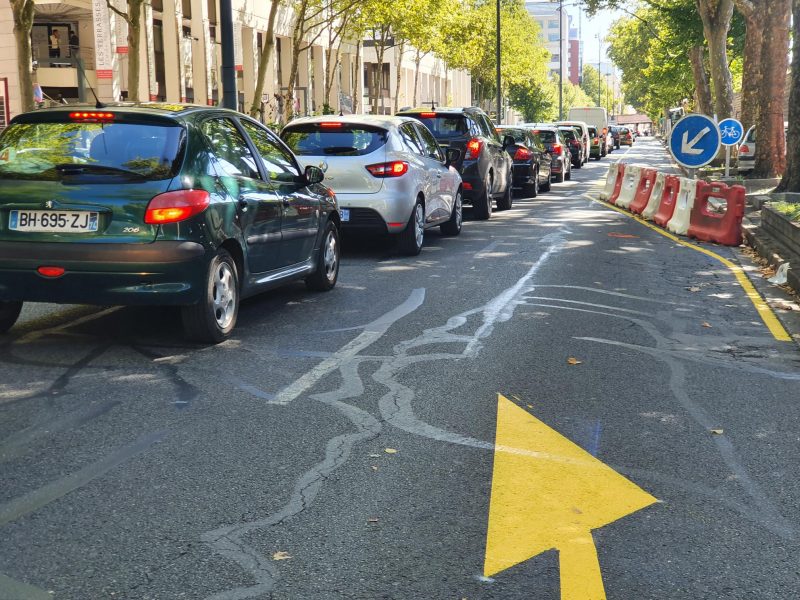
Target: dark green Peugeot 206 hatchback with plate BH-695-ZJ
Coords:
[[157, 204]]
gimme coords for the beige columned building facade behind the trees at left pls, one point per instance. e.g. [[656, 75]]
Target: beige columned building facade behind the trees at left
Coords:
[[180, 58]]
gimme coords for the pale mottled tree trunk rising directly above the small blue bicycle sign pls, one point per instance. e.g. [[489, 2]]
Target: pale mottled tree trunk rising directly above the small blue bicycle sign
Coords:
[[716, 16]]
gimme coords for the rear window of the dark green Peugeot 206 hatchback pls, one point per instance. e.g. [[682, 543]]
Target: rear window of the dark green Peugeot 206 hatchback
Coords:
[[46, 151]]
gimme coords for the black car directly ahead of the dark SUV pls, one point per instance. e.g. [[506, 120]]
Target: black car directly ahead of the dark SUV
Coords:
[[532, 161]]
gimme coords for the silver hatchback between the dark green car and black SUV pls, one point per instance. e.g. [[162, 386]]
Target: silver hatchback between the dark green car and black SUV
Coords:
[[389, 174]]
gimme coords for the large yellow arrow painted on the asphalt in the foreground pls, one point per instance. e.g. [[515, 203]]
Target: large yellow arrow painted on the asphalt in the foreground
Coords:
[[548, 494]]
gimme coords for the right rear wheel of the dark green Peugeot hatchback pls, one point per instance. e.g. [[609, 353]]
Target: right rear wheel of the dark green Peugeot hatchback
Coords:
[[211, 320]]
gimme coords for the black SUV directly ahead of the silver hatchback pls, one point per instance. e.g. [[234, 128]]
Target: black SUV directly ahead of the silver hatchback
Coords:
[[484, 165]]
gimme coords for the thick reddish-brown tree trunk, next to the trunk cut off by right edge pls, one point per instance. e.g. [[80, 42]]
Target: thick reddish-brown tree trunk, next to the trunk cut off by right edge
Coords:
[[770, 143]]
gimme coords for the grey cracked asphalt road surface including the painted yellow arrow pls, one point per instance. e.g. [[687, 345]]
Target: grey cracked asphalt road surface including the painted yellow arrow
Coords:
[[558, 403]]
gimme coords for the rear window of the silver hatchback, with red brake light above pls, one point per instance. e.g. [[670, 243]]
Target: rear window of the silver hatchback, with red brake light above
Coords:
[[322, 139]]
